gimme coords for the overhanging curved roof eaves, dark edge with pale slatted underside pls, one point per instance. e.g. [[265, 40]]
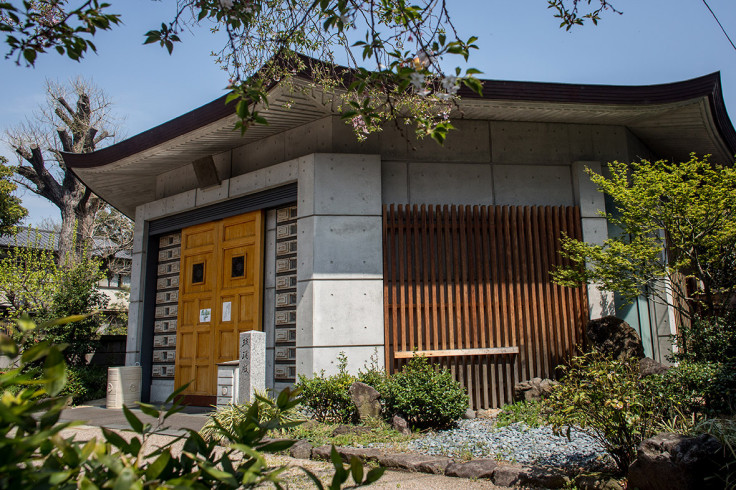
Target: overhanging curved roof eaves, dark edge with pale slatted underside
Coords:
[[671, 119]]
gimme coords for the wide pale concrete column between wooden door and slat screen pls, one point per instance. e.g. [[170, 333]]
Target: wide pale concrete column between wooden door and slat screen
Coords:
[[340, 261]]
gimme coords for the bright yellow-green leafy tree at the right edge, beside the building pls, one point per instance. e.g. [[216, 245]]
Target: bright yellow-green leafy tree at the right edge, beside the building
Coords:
[[677, 225]]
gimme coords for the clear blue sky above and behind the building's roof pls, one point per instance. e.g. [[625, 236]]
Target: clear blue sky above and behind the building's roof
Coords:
[[654, 41]]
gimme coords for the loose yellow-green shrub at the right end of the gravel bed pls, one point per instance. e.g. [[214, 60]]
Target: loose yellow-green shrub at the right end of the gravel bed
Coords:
[[604, 398]]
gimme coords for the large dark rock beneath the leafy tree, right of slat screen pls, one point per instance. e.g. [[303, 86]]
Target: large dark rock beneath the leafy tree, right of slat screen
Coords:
[[614, 336]]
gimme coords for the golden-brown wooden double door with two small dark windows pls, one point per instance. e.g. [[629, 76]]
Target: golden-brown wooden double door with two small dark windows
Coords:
[[220, 295]]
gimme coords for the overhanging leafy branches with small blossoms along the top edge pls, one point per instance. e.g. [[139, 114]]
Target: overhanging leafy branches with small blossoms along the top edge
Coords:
[[394, 50]]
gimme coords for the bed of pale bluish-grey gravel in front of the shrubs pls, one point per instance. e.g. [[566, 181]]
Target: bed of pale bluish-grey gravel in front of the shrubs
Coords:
[[516, 443]]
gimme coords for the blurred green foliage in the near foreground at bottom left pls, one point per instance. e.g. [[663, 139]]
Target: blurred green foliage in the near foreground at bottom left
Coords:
[[33, 454]]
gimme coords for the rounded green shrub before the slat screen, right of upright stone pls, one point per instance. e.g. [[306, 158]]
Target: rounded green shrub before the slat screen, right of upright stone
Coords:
[[426, 396]]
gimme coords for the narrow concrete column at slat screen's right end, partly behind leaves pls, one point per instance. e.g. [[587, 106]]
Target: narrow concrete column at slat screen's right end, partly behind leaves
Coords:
[[595, 230]]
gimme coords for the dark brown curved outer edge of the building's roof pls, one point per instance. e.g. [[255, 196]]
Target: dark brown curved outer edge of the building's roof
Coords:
[[704, 86]]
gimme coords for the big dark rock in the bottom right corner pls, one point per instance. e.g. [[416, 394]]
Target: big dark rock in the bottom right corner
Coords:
[[676, 462]]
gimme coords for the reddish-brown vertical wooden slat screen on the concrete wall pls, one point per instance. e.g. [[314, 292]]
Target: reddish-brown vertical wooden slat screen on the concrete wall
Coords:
[[470, 287]]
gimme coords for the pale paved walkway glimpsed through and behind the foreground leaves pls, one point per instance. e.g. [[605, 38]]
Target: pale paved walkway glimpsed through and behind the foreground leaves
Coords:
[[94, 416]]
